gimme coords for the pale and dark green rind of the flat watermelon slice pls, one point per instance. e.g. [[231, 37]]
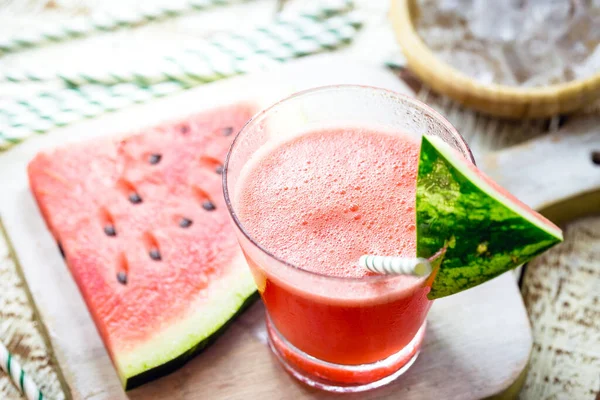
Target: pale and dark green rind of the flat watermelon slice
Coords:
[[188, 335]]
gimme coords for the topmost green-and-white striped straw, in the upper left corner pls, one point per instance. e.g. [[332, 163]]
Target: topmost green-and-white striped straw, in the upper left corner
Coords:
[[79, 27]]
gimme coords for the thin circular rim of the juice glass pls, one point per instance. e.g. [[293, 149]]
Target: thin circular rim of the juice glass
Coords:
[[322, 89]]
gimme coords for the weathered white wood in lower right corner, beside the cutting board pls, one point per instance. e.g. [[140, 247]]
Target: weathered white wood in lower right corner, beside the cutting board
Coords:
[[562, 292]]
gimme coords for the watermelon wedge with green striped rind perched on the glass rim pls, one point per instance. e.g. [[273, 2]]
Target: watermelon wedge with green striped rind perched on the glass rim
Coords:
[[486, 230]]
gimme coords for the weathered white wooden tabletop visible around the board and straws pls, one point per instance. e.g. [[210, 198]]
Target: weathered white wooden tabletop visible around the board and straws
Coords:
[[561, 291]]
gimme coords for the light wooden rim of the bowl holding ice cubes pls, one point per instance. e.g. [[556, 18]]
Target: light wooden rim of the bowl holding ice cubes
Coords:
[[497, 100]]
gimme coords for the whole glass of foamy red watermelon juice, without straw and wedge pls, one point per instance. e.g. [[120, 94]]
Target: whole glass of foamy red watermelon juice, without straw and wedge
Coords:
[[313, 183]]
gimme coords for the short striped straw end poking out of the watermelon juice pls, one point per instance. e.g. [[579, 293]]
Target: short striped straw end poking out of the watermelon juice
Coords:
[[389, 265]]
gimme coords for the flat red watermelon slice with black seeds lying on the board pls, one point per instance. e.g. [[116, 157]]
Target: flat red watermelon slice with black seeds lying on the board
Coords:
[[142, 224]]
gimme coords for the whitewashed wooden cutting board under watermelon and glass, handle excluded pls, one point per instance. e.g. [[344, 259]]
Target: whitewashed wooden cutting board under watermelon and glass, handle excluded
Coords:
[[478, 342]]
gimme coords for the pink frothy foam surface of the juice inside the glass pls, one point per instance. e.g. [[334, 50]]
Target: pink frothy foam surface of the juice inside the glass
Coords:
[[323, 199]]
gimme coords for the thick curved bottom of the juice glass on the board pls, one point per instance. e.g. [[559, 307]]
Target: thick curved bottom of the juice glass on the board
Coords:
[[342, 378]]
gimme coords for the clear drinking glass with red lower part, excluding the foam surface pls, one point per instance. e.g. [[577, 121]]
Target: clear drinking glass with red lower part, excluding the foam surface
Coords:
[[334, 333]]
